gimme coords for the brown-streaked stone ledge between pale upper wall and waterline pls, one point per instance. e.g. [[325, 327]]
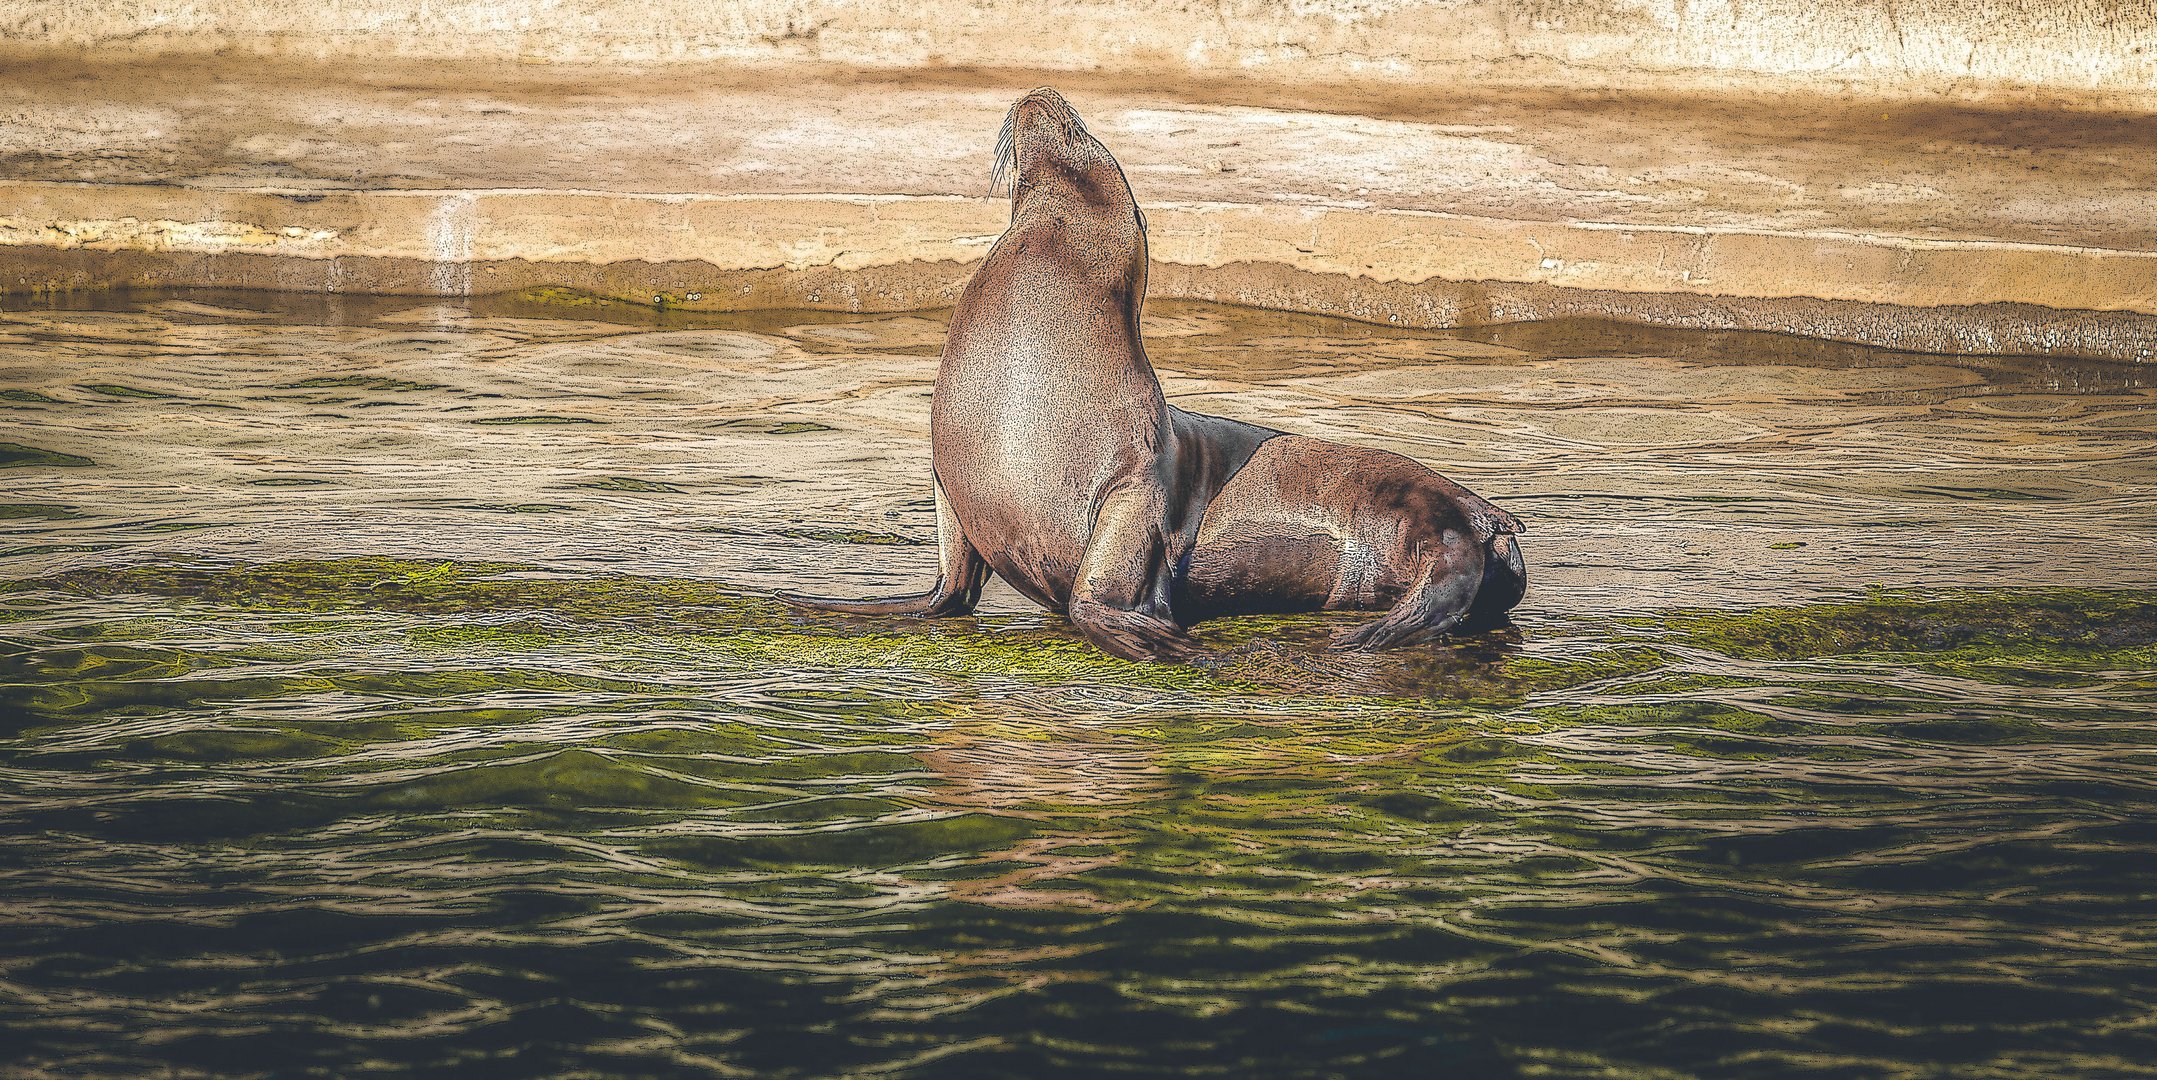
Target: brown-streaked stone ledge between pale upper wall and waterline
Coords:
[[1916, 225]]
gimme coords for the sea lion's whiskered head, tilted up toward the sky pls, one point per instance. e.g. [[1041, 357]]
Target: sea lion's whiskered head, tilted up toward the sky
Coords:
[[1056, 165]]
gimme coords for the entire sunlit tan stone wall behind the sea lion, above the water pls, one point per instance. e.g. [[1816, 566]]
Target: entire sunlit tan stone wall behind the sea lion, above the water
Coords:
[[1891, 174]]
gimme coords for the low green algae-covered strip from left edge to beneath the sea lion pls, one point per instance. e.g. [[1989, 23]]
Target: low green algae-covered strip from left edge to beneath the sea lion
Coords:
[[497, 605]]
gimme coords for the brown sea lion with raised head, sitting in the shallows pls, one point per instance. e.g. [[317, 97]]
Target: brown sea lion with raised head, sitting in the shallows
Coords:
[[1062, 469]]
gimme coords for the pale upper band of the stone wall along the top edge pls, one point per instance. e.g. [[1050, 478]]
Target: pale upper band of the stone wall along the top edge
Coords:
[[2102, 51]]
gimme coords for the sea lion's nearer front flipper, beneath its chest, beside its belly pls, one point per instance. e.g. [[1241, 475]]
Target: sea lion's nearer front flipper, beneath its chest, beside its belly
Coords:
[[1121, 598]]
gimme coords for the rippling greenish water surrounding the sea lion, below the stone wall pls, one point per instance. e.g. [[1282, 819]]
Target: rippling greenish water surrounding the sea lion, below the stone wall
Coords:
[[387, 689]]
